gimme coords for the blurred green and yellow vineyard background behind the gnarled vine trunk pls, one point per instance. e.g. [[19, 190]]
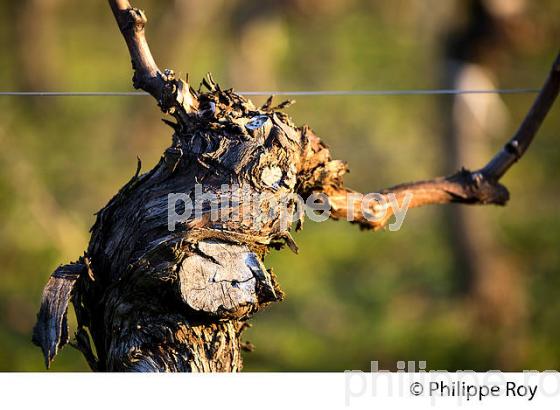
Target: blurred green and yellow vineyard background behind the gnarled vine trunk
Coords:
[[352, 297]]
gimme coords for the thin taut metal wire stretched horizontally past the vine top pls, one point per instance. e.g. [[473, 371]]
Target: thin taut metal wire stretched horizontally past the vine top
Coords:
[[286, 93]]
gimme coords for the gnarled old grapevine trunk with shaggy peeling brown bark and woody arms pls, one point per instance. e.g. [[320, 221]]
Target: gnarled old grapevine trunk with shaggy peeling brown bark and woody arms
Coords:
[[151, 299]]
